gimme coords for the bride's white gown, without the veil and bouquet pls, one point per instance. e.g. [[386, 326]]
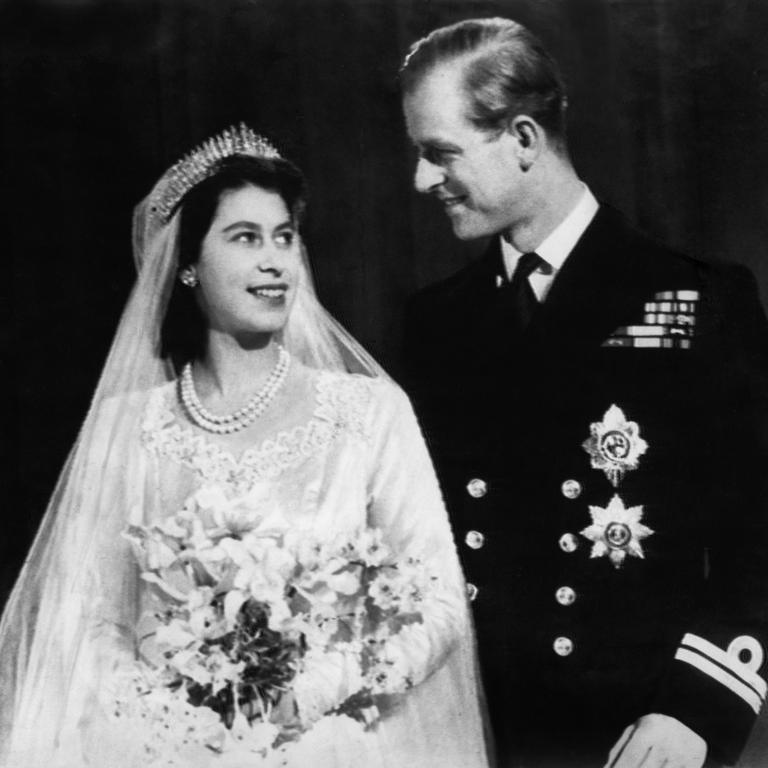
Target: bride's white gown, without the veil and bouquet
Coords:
[[336, 452]]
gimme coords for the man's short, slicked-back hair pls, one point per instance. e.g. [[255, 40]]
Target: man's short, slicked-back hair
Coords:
[[506, 72]]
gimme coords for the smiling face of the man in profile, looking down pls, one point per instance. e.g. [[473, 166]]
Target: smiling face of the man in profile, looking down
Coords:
[[473, 173]]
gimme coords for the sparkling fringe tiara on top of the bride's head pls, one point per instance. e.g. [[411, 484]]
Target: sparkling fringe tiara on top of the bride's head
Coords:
[[201, 162]]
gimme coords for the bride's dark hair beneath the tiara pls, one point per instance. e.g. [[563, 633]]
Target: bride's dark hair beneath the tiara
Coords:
[[183, 333]]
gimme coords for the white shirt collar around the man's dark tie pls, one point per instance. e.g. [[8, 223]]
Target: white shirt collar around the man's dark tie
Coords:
[[554, 250]]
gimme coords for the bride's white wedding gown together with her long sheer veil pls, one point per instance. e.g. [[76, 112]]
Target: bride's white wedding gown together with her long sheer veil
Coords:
[[339, 448]]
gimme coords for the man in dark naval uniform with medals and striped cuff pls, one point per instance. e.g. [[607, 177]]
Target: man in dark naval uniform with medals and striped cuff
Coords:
[[595, 406]]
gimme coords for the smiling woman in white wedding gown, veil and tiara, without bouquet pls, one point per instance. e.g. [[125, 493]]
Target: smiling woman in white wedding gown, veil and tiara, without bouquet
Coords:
[[227, 378]]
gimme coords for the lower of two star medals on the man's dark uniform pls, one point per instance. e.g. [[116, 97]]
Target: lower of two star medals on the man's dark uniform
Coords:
[[616, 531]]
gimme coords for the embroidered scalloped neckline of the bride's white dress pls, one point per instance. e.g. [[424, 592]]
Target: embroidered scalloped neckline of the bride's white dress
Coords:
[[342, 404]]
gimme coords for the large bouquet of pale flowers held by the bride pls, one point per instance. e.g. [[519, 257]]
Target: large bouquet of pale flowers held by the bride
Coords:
[[259, 632]]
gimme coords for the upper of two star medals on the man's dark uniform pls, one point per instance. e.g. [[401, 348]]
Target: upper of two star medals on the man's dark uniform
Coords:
[[615, 445]]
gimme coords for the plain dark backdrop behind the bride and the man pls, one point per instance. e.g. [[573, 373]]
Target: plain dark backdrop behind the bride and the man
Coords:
[[668, 121]]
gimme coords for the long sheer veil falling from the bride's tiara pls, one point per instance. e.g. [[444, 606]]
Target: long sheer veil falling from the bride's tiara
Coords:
[[75, 589]]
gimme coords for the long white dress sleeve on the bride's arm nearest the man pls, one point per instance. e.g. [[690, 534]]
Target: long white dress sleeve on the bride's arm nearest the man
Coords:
[[404, 500]]
